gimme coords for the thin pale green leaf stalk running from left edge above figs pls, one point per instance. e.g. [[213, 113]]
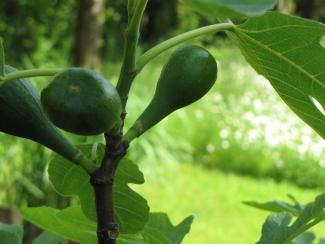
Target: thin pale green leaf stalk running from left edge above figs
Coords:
[[29, 73]]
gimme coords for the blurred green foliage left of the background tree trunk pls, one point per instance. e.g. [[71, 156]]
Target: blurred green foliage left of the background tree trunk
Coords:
[[46, 32]]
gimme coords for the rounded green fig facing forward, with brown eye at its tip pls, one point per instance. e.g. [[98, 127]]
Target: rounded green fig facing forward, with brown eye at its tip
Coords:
[[83, 102]]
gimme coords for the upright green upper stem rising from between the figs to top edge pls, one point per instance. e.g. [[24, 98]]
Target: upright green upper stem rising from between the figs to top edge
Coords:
[[129, 69]]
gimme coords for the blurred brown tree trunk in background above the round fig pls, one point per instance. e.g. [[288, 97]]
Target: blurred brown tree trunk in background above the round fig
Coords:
[[89, 33]]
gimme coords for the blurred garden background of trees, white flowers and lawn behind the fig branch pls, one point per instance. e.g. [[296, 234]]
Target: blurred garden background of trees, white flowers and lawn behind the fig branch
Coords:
[[240, 142]]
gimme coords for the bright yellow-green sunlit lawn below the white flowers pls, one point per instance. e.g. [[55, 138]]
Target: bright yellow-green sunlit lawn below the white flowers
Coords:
[[214, 198]]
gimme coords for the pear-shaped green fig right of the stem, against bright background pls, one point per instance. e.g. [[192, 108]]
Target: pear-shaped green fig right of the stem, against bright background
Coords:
[[187, 76]]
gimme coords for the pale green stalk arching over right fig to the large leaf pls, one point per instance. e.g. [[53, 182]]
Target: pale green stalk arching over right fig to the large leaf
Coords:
[[160, 48]]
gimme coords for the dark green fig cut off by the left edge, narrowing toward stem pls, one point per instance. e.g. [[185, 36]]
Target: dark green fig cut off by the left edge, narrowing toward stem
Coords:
[[22, 116]]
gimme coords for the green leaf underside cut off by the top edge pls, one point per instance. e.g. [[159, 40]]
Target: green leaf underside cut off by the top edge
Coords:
[[231, 9]]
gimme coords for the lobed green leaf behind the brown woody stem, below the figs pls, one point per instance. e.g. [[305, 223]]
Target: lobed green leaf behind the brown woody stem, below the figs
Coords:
[[71, 180]]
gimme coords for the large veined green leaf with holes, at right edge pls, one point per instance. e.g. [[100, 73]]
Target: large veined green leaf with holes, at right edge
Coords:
[[297, 79]]
